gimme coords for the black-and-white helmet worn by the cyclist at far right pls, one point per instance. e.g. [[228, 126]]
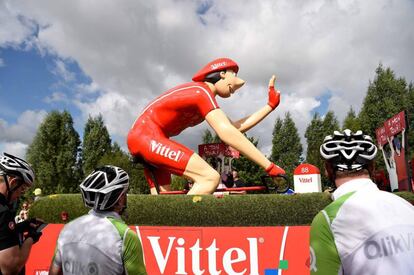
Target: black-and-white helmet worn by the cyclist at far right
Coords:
[[348, 151]]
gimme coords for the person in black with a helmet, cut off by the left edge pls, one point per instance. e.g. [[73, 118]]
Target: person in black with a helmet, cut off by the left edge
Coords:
[[16, 176]]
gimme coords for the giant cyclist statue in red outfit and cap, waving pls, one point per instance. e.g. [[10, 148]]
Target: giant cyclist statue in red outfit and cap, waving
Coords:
[[188, 105]]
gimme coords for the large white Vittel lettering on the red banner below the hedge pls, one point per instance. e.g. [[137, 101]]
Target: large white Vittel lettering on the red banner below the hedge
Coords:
[[183, 252]]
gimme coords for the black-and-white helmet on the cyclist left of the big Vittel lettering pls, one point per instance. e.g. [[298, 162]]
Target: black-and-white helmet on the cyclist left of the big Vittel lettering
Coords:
[[104, 187]]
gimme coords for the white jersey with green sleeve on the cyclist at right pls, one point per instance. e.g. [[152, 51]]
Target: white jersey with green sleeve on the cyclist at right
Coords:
[[364, 231]]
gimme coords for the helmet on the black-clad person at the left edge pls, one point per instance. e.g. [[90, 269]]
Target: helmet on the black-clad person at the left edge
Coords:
[[14, 166]]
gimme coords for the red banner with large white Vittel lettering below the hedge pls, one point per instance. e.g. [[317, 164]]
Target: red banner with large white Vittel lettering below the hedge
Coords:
[[205, 250]]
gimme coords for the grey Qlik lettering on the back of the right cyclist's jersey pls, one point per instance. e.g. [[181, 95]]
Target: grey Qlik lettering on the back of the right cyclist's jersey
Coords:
[[389, 246]]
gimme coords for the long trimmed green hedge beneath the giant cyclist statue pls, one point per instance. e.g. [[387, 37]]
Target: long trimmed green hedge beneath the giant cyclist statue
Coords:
[[182, 210]]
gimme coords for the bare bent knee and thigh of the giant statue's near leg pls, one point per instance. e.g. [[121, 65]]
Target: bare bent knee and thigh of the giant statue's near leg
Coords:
[[204, 176]]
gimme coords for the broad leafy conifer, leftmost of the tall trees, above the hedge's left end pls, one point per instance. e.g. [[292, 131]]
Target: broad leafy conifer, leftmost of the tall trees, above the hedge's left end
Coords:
[[54, 154]]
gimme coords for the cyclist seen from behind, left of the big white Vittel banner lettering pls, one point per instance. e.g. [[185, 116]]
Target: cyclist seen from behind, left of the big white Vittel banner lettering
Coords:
[[100, 242]]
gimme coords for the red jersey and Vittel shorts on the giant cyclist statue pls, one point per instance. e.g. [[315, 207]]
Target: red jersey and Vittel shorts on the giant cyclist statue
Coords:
[[168, 115]]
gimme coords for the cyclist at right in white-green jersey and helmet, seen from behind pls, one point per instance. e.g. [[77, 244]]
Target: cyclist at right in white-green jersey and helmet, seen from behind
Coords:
[[364, 230]]
